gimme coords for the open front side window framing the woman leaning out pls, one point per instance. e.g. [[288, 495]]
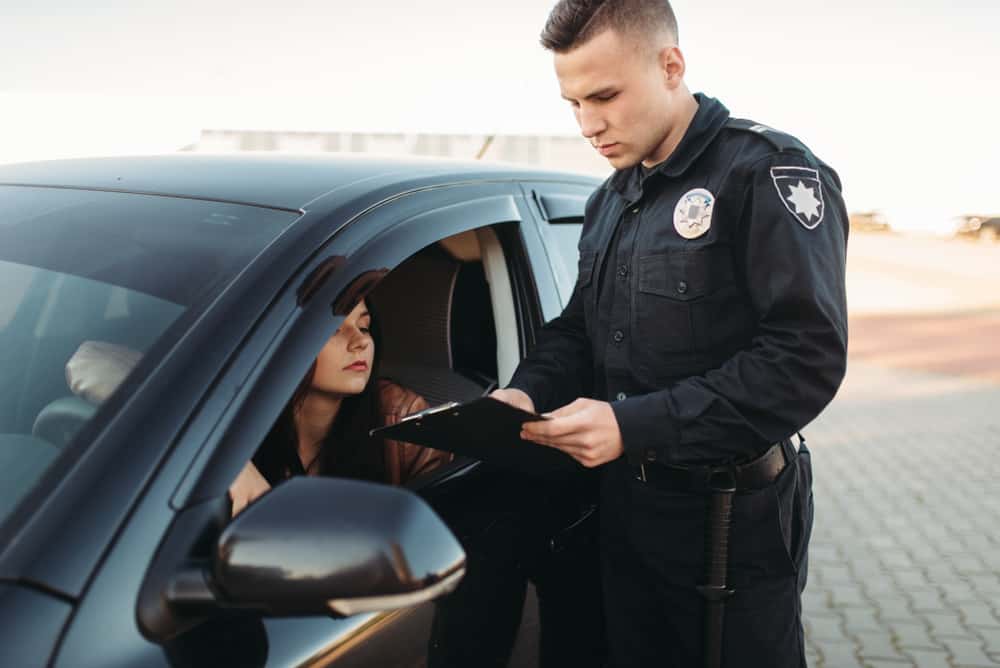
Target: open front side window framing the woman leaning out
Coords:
[[441, 326]]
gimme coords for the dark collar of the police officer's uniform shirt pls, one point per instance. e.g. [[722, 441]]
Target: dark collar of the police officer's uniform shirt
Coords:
[[705, 125]]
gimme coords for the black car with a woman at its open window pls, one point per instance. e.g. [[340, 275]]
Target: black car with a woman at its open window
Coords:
[[225, 275]]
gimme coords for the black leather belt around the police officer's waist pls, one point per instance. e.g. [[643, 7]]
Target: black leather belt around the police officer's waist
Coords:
[[754, 474]]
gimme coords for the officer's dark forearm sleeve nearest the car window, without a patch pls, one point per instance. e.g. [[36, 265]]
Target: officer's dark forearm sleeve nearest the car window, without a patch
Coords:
[[559, 368]]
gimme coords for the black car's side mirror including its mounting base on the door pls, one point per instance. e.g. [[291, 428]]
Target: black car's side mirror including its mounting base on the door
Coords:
[[311, 546]]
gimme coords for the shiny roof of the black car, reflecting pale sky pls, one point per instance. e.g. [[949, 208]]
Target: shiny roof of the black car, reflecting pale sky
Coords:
[[270, 179]]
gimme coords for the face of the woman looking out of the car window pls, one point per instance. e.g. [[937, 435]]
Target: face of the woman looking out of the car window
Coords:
[[345, 362]]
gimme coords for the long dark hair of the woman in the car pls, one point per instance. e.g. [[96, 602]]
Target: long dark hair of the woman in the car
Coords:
[[347, 449]]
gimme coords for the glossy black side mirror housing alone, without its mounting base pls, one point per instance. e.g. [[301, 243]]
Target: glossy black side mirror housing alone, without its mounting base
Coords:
[[314, 546]]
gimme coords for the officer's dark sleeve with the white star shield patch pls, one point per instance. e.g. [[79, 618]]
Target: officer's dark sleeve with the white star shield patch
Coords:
[[796, 361]]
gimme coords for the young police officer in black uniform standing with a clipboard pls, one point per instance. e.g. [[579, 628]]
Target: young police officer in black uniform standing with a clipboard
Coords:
[[707, 326]]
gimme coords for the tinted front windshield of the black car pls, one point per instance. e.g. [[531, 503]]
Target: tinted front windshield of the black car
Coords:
[[89, 281]]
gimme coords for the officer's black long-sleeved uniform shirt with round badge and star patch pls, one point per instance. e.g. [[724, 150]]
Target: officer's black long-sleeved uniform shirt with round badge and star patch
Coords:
[[711, 344]]
